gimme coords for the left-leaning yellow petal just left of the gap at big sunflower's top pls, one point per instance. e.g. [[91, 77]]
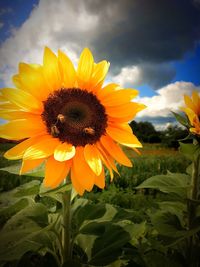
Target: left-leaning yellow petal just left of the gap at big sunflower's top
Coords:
[[67, 70]]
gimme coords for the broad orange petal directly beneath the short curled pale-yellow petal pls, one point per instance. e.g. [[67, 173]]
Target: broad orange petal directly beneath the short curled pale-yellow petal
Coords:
[[55, 172]]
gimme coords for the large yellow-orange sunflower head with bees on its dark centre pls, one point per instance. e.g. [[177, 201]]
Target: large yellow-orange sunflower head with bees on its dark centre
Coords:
[[68, 120]]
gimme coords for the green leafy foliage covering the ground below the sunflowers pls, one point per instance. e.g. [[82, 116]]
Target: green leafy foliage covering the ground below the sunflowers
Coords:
[[136, 221]]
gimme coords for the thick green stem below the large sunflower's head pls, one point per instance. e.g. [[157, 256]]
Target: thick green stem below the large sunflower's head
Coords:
[[66, 196]]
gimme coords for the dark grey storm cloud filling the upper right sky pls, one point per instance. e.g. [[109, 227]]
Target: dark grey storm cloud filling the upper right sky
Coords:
[[135, 31]]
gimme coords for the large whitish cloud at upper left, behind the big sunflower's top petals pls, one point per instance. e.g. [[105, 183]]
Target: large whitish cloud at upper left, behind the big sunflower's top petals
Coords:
[[60, 24]]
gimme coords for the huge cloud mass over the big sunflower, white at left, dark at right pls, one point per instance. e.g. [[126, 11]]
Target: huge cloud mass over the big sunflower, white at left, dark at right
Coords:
[[138, 37]]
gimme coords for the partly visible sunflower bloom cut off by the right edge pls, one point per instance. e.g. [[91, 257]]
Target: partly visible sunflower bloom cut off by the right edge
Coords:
[[192, 111]]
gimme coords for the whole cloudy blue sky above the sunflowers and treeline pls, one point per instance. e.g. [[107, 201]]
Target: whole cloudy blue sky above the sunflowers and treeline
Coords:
[[153, 46]]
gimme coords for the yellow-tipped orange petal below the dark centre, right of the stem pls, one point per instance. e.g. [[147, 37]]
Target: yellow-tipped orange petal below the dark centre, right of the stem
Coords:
[[93, 159]]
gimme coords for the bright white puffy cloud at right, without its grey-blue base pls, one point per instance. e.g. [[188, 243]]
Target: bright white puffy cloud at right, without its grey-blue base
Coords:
[[168, 98]]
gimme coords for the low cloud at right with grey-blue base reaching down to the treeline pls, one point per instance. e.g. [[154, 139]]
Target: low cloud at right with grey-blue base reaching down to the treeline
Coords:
[[159, 107]]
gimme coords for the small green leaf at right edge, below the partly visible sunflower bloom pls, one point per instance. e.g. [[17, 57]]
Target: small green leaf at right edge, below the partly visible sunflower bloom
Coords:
[[191, 151]]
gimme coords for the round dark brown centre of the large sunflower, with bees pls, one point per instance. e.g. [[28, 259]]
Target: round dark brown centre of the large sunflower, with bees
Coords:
[[74, 116]]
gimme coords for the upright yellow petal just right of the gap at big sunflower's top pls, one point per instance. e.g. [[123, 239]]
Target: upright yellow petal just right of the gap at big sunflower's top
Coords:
[[85, 68]]
